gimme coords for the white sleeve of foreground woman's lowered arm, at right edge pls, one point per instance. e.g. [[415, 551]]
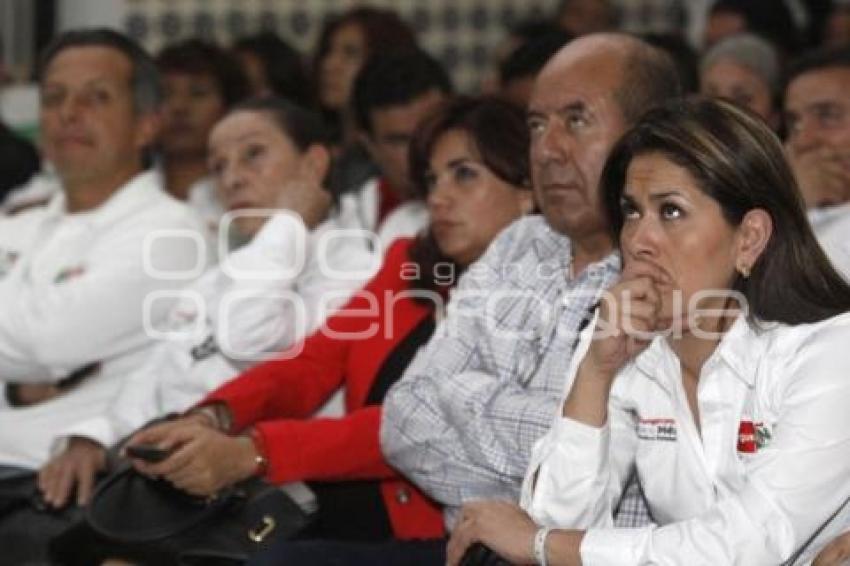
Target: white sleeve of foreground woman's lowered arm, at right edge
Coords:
[[792, 487]]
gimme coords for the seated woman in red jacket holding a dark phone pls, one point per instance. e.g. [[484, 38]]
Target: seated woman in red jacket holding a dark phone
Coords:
[[471, 160]]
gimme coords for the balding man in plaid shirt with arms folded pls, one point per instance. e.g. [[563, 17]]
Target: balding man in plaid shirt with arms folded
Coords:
[[462, 421]]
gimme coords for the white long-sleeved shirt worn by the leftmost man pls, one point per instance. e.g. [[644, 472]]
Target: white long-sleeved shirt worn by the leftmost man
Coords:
[[72, 289]]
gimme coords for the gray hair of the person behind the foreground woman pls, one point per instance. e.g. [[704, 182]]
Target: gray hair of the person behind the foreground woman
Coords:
[[750, 51]]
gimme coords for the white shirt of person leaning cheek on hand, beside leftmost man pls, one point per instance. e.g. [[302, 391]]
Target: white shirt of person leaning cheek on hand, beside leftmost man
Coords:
[[260, 301]]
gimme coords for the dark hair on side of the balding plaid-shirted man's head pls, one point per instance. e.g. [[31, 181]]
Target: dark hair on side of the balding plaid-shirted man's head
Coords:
[[649, 78]]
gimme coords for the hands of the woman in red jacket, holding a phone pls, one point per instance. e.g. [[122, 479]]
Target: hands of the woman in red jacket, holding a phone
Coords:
[[204, 460]]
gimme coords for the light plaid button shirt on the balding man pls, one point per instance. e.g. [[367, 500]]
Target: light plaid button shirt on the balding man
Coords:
[[462, 421]]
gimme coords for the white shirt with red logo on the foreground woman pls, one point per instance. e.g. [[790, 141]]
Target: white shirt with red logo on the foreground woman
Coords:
[[771, 465]]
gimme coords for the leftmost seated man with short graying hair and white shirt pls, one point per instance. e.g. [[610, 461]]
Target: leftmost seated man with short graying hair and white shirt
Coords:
[[74, 274]]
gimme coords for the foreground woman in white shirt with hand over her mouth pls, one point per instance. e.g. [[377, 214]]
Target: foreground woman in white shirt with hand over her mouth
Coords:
[[717, 371]]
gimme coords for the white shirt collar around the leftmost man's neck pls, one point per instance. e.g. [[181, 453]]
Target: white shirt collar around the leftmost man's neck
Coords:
[[129, 198]]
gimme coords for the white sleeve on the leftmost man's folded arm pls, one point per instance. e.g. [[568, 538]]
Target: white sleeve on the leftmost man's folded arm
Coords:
[[49, 330]]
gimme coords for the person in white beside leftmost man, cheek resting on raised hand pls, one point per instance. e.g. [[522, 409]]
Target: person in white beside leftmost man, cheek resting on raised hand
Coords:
[[258, 302]]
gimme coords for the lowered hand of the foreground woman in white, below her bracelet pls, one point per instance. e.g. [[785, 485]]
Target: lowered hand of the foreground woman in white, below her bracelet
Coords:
[[503, 527]]
